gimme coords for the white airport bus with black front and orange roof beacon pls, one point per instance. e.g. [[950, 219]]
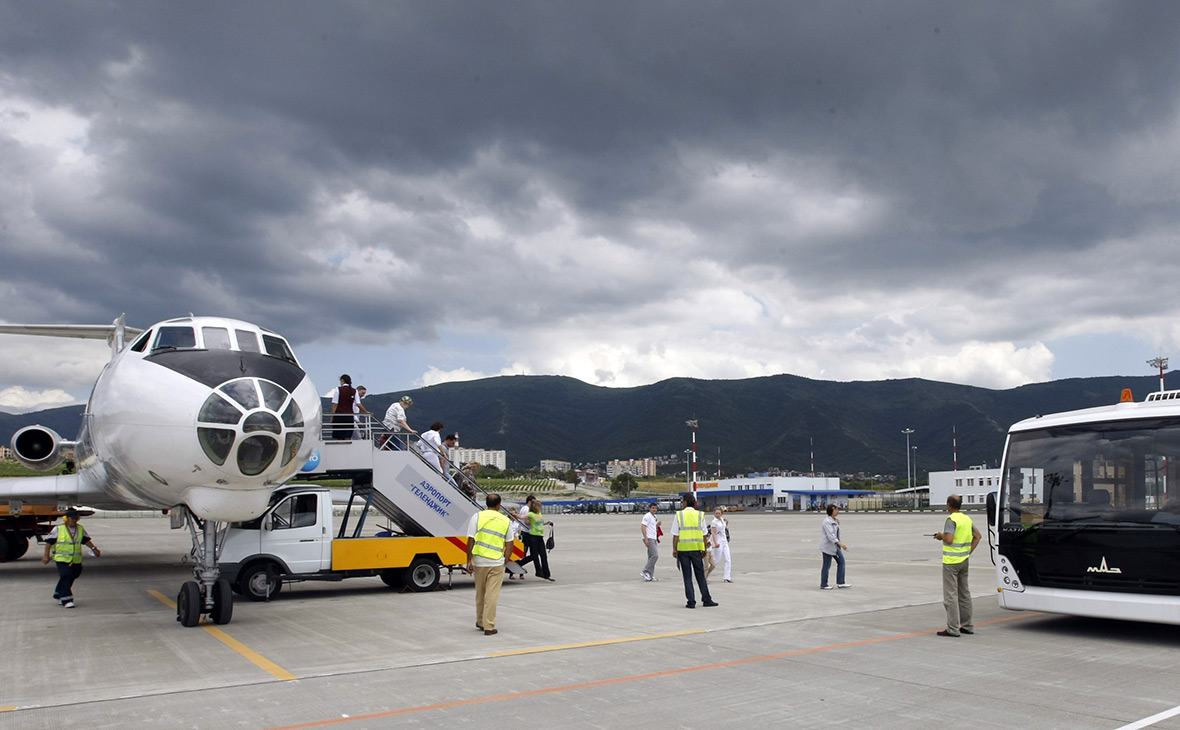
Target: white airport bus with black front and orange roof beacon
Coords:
[[1087, 519]]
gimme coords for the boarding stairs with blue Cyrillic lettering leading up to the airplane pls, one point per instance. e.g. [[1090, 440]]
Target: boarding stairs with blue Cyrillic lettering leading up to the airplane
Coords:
[[390, 472]]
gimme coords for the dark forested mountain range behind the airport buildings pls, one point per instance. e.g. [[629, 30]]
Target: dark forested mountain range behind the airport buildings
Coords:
[[756, 424]]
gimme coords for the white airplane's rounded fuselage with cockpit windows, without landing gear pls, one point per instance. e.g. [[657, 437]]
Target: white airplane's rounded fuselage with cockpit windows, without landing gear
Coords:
[[205, 412]]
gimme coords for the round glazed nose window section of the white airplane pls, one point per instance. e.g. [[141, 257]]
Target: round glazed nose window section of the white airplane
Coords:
[[248, 424]]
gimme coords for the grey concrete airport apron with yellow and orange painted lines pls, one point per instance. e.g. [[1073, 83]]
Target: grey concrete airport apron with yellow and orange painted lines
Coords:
[[600, 648]]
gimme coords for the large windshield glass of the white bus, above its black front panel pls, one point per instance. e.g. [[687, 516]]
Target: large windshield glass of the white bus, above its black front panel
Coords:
[[1106, 473]]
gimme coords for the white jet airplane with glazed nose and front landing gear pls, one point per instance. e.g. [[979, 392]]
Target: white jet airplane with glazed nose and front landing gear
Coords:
[[204, 417]]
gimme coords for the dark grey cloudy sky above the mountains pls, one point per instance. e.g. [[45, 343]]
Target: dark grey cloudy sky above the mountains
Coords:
[[414, 193]]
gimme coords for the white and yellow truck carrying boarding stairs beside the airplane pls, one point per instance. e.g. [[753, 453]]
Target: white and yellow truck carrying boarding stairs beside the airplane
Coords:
[[297, 540]]
